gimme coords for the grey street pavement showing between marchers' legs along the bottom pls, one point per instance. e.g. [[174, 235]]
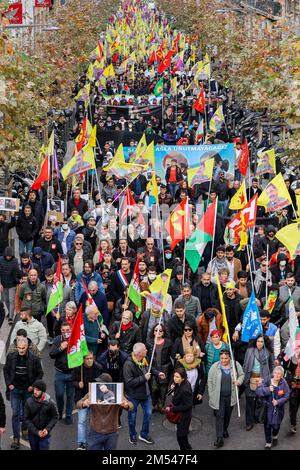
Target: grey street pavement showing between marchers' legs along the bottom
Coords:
[[201, 437]]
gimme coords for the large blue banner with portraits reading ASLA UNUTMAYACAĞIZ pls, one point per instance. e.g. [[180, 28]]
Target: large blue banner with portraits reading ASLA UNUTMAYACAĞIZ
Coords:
[[191, 156]]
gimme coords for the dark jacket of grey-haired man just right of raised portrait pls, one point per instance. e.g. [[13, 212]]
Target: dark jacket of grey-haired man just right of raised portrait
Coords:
[[135, 381]]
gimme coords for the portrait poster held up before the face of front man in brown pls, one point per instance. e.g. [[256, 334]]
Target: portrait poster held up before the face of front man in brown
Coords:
[[106, 393]]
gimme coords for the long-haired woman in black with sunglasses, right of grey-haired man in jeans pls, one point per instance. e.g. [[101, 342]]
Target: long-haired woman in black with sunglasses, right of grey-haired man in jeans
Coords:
[[161, 366]]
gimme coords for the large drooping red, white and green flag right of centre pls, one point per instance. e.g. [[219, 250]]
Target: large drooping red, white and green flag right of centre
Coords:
[[204, 233]]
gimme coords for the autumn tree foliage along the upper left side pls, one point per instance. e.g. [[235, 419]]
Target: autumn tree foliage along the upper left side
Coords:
[[33, 81]]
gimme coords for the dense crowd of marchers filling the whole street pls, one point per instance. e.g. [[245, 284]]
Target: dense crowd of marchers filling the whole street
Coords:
[[180, 341]]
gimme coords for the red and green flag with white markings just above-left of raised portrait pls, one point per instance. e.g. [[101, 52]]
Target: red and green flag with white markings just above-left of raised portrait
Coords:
[[77, 347]]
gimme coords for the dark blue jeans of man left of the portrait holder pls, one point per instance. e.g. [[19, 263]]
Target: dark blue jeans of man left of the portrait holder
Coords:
[[62, 383]]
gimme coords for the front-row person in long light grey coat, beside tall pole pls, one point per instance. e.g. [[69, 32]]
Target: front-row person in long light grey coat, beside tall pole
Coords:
[[223, 393]]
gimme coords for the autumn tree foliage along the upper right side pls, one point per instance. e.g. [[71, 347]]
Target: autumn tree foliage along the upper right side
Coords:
[[261, 66]]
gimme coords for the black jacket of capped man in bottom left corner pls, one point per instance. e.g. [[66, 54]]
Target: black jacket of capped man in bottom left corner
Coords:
[[40, 414]]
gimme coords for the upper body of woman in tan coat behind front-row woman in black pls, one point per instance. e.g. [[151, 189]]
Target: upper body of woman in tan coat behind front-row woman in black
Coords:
[[189, 339]]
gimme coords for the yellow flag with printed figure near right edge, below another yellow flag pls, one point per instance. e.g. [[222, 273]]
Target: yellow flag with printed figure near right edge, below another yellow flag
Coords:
[[275, 196]]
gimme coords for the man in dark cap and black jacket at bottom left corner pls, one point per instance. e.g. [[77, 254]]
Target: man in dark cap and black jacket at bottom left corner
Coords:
[[40, 416]]
